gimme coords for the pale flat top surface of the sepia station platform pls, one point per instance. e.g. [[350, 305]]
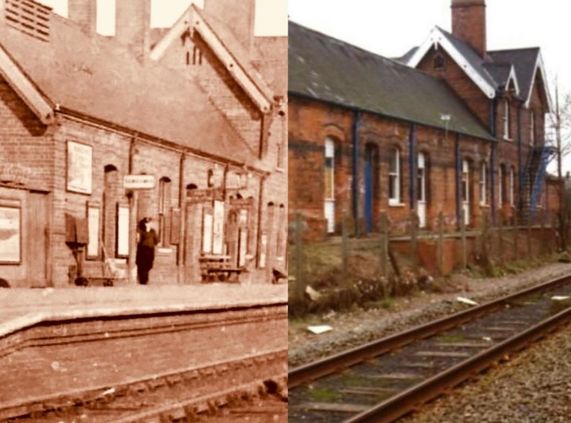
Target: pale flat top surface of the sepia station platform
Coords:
[[25, 307]]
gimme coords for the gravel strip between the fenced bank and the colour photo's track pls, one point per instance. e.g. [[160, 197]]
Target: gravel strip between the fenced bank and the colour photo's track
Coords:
[[357, 327]]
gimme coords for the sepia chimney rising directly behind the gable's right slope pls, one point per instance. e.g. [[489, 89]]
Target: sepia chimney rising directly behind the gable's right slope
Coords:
[[238, 16]]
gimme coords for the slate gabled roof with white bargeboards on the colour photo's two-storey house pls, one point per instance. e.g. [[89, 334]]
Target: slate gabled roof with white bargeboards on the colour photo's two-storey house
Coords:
[[494, 71]]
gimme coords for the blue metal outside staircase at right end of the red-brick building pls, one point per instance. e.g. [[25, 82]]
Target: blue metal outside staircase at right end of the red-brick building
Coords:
[[532, 180]]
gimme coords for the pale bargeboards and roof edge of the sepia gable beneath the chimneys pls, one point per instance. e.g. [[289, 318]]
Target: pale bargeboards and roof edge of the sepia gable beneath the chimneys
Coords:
[[225, 47]]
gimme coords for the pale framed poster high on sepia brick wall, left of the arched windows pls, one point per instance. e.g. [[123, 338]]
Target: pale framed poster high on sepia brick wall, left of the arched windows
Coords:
[[79, 167]]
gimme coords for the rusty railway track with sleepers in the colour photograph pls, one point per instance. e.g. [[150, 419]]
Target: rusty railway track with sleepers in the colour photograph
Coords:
[[386, 379]]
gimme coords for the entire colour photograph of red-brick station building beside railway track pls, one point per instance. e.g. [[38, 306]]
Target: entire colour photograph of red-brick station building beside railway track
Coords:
[[429, 198]]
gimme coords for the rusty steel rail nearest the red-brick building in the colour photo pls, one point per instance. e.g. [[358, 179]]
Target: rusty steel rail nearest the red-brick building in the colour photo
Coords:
[[333, 364]]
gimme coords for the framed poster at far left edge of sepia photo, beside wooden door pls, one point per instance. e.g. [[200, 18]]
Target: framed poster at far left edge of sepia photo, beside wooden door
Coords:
[[10, 234]]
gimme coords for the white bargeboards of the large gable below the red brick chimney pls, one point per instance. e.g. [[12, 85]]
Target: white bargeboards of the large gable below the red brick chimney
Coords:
[[437, 37]]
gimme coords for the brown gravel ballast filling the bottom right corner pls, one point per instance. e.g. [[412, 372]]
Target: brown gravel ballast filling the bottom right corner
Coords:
[[534, 387]]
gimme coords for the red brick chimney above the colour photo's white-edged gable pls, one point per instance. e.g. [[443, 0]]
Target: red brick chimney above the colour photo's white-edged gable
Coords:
[[469, 23]]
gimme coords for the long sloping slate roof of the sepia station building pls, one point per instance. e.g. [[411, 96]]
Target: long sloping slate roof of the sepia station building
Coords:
[[97, 77]]
